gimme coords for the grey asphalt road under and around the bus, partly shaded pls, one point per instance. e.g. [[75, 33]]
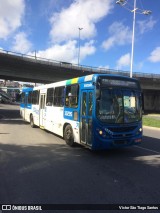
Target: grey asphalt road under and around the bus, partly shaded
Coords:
[[38, 167]]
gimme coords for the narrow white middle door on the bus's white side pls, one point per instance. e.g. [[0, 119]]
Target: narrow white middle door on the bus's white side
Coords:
[[42, 110]]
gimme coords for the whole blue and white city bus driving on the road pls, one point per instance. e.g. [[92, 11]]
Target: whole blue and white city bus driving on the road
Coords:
[[99, 111]]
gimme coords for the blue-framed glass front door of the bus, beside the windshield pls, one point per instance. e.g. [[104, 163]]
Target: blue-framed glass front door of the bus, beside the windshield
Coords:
[[86, 117]]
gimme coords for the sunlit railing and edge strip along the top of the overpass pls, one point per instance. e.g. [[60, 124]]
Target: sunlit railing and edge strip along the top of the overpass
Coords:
[[41, 60]]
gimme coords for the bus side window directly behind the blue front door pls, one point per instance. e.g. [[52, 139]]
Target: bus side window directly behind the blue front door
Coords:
[[72, 94]]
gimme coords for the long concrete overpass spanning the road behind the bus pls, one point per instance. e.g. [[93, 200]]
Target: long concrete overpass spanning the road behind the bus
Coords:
[[19, 67]]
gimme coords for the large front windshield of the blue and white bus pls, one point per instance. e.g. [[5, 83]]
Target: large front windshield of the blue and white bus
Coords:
[[119, 105]]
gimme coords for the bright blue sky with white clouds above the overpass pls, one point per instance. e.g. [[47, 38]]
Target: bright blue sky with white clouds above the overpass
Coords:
[[50, 29]]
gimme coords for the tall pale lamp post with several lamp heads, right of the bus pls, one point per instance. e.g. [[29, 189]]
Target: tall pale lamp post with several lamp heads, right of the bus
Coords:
[[135, 10]]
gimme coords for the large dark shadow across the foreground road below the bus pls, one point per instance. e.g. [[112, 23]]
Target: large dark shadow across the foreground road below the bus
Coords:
[[56, 173]]
